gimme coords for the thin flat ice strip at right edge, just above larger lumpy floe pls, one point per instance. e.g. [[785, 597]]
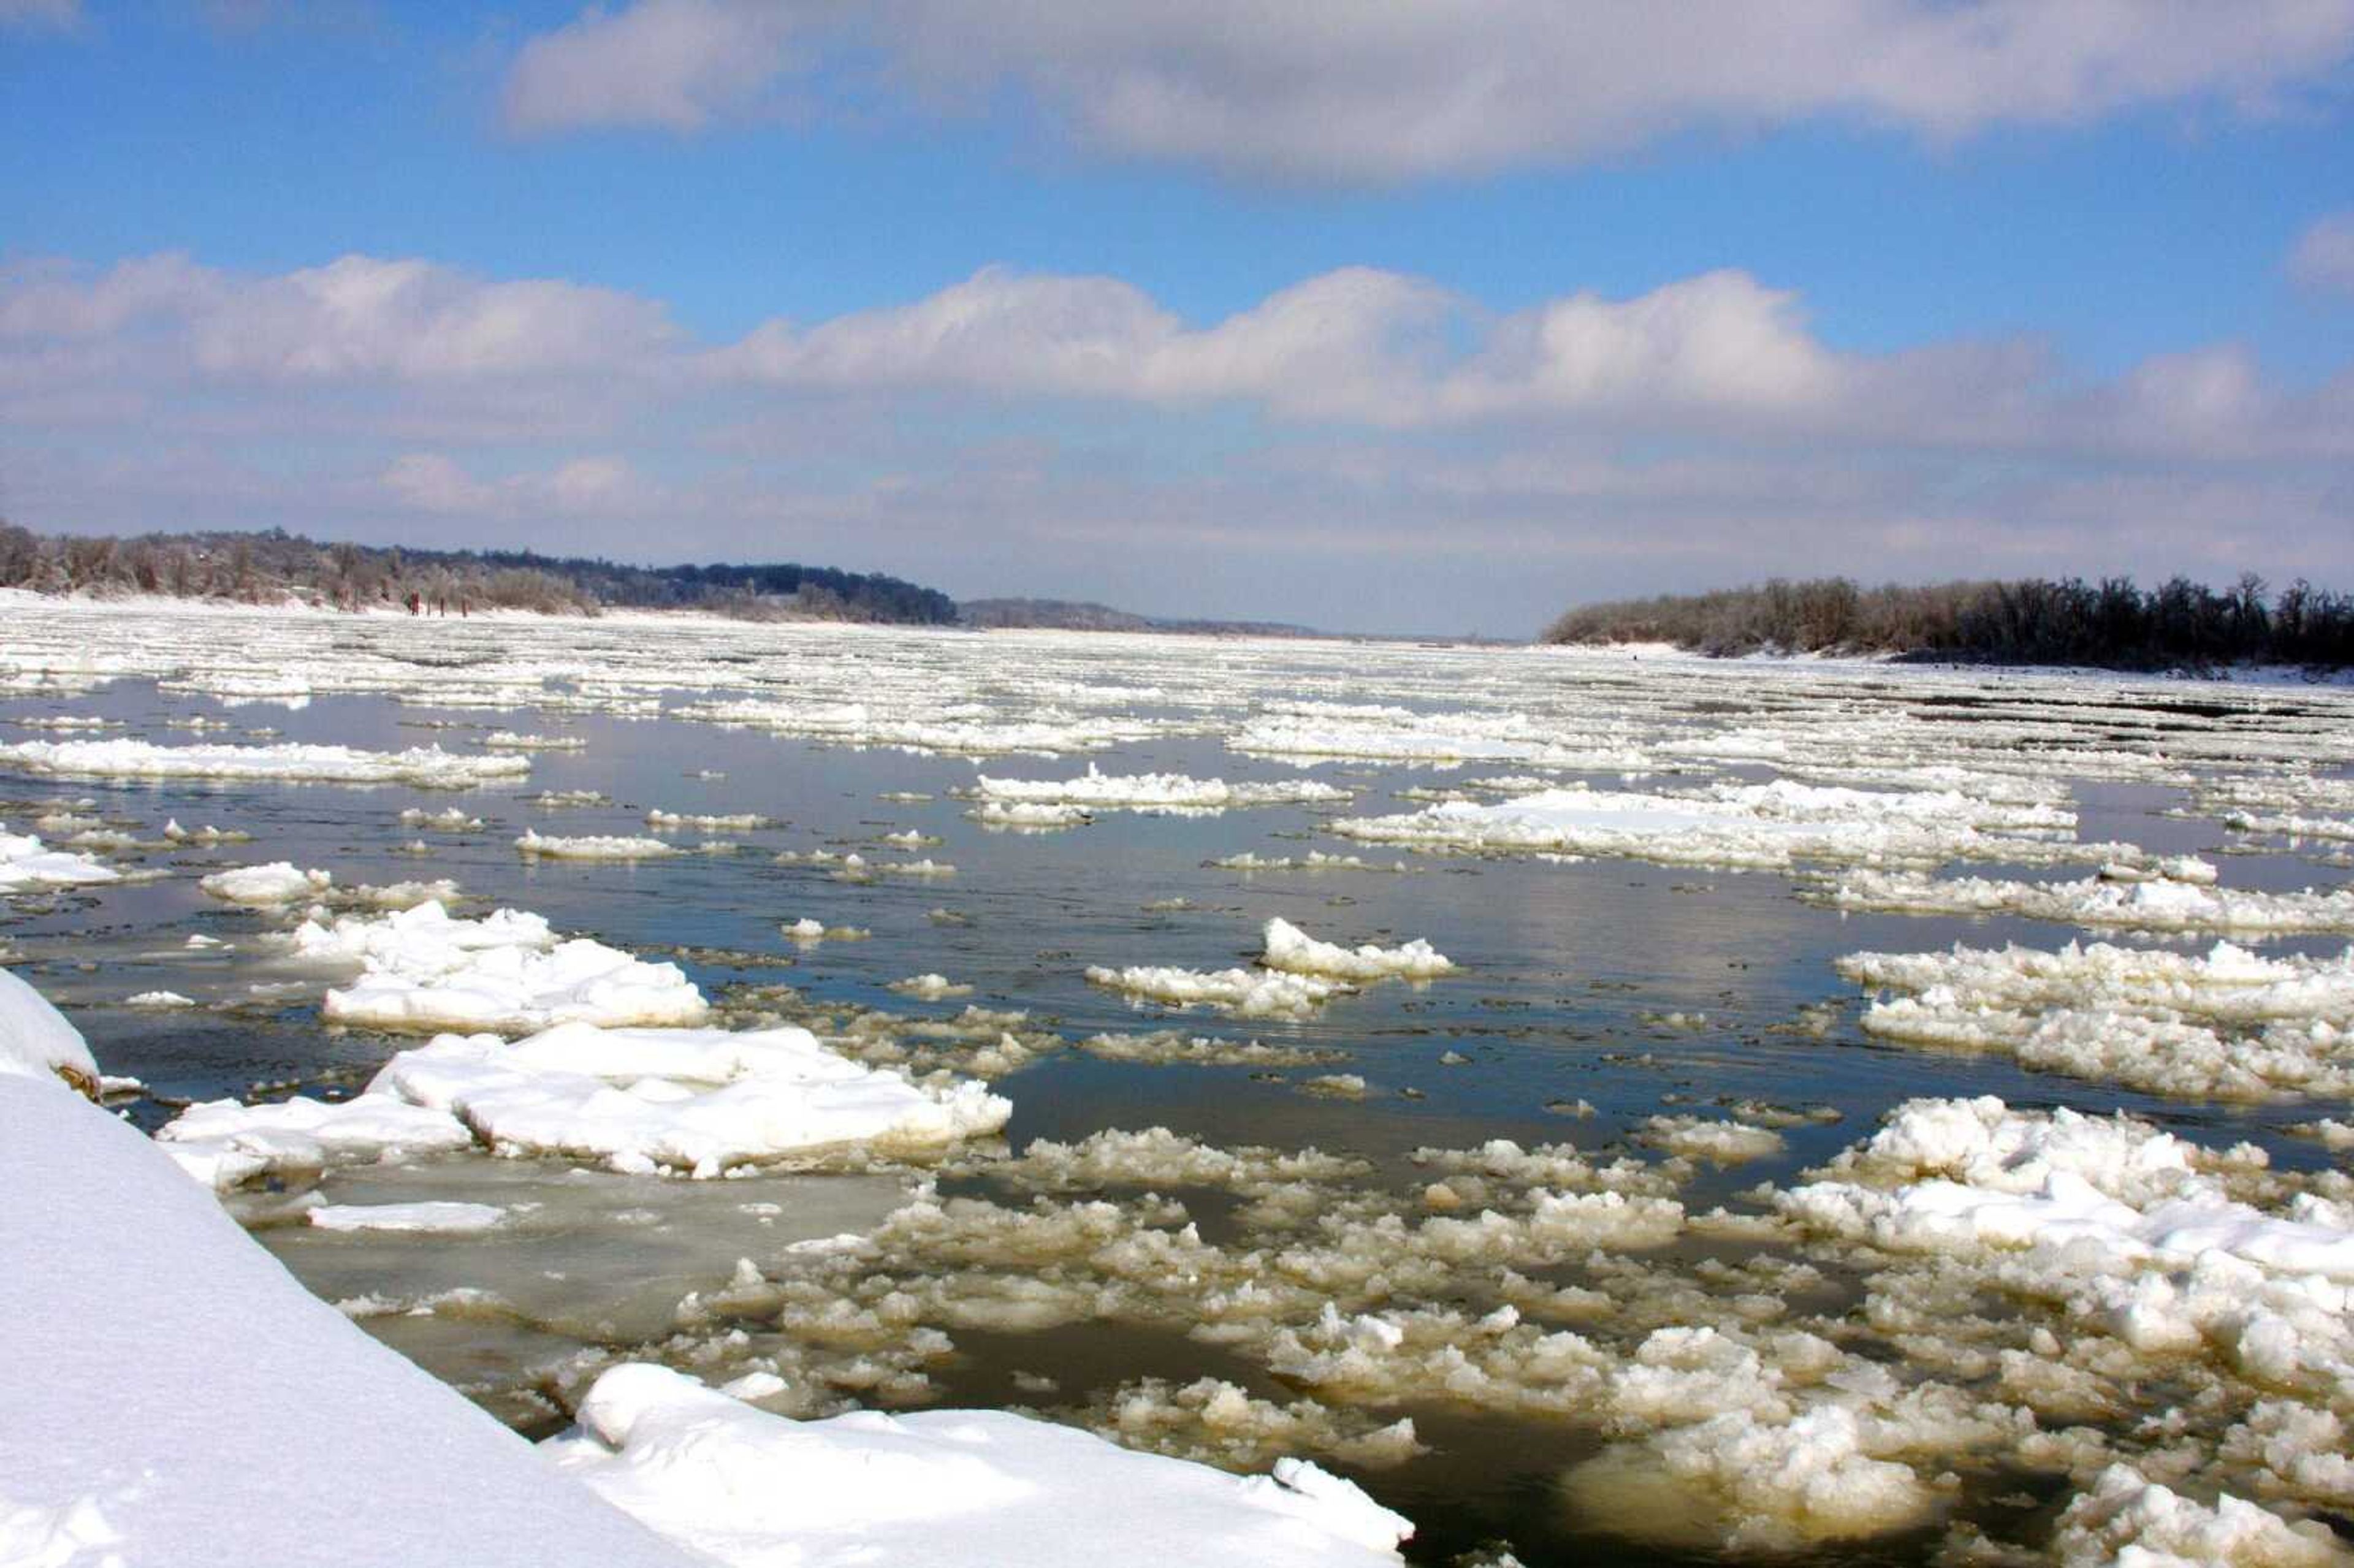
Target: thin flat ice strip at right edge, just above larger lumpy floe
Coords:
[[2106, 903]]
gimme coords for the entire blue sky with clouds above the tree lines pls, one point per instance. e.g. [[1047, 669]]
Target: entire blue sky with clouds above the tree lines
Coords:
[[1383, 314]]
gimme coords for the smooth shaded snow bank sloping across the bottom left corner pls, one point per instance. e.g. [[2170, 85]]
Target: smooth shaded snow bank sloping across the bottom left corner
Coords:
[[142, 1270]]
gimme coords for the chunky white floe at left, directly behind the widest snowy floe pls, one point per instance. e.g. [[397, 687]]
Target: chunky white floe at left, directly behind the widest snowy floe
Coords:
[[423, 971]]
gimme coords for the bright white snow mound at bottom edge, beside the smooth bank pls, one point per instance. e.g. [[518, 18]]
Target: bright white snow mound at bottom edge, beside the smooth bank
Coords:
[[943, 1489]]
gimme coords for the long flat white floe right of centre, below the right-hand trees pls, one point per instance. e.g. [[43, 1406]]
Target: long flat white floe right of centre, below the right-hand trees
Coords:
[[1743, 825]]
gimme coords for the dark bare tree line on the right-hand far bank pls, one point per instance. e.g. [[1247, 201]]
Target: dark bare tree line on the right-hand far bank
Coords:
[[2179, 625]]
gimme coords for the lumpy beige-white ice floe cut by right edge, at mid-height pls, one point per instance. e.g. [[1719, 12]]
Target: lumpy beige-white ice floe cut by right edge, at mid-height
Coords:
[[2226, 1023]]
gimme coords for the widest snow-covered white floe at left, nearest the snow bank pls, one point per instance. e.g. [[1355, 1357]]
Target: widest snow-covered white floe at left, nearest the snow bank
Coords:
[[637, 1101]]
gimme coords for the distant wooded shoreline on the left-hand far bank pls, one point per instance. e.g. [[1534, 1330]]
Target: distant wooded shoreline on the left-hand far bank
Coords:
[[277, 566]]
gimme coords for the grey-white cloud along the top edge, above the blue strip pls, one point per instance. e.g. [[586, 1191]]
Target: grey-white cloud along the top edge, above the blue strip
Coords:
[[1376, 91]]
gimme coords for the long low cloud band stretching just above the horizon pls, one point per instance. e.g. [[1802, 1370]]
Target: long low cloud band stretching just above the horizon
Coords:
[[1390, 446]]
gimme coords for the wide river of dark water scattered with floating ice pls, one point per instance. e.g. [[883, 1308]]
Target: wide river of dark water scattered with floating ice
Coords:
[[1614, 1110]]
